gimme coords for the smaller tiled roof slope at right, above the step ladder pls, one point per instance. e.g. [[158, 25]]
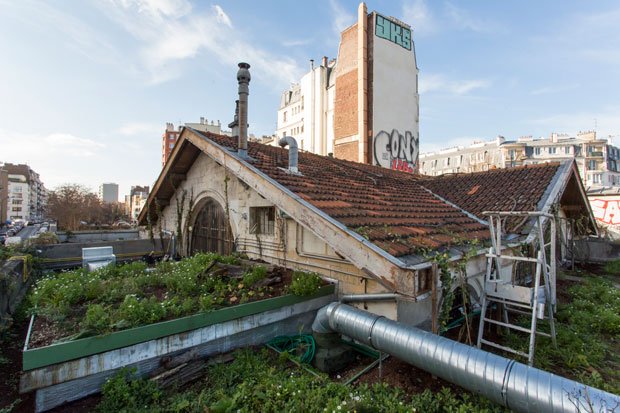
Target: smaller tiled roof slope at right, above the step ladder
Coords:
[[512, 189]]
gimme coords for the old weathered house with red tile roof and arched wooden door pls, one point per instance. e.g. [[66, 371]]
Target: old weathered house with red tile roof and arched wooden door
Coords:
[[370, 228]]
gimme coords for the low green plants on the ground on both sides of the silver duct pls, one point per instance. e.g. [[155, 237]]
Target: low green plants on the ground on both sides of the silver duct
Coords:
[[588, 335]]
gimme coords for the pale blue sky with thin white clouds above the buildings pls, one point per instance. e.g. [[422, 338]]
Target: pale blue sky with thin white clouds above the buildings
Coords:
[[87, 86]]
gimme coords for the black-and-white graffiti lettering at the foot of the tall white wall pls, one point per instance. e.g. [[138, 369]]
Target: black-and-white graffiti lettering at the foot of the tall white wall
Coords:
[[396, 151]]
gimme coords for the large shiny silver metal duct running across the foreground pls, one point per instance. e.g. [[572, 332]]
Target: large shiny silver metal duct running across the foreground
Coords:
[[506, 382]]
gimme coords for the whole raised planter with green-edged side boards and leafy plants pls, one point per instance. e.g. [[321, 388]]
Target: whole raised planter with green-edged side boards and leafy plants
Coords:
[[88, 325]]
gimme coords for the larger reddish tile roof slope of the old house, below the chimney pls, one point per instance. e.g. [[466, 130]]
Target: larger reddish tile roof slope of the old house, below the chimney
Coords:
[[390, 208]]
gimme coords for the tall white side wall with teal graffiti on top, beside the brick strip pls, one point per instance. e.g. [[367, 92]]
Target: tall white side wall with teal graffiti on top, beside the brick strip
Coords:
[[395, 99]]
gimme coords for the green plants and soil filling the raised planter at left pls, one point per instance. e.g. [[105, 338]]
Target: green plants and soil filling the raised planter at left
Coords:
[[75, 304]]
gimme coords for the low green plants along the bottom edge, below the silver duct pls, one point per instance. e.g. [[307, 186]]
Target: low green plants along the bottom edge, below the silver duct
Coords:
[[259, 381]]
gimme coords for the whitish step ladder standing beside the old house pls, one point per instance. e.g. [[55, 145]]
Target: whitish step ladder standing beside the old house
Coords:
[[502, 289]]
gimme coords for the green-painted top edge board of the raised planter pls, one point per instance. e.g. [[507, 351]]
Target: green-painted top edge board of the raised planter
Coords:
[[57, 353]]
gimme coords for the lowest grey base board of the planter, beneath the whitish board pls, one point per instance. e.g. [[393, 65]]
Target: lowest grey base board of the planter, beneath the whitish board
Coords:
[[56, 395]]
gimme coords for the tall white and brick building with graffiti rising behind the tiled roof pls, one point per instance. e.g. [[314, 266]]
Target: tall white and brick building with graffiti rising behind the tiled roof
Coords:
[[363, 106]]
